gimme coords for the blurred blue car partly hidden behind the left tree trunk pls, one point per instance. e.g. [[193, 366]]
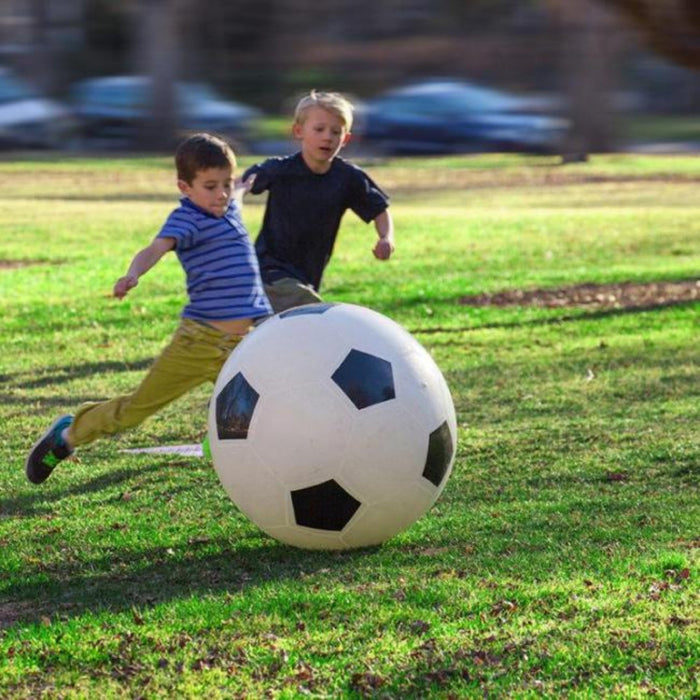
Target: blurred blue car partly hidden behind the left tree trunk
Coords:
[[111, 110]]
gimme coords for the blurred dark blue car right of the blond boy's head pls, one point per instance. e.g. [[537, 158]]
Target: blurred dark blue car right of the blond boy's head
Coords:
[[452, 116]]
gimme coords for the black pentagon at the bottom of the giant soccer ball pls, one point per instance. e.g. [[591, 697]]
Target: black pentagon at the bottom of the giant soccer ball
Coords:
[[325, 506]]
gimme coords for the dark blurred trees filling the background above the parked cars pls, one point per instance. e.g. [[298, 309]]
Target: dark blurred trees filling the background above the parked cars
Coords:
[[266, 51]]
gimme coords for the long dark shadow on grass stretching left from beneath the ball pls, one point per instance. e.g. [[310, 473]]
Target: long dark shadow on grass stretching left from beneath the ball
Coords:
[[123, 580]]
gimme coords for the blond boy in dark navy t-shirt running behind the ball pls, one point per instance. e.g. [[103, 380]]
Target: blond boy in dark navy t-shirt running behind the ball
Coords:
[[308, 194]]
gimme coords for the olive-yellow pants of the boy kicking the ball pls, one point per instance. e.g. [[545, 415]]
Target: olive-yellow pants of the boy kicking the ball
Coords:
[[195, 355]]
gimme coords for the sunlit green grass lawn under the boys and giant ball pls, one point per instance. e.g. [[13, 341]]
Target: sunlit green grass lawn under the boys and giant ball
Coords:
[[562, 557]]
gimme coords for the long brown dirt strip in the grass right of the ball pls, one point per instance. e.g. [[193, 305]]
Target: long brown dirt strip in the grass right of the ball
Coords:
[[626, 295]]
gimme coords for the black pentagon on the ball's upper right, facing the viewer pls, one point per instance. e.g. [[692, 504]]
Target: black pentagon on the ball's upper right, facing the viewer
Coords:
[[366, 379]]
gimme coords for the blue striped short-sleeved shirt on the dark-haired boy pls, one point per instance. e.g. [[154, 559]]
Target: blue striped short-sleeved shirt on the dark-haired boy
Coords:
[[223, 275]]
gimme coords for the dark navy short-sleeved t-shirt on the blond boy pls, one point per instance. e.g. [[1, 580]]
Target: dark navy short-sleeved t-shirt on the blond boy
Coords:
[[303, 213]]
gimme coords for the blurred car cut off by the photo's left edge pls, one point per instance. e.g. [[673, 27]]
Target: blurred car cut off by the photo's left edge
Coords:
[[29, 119]]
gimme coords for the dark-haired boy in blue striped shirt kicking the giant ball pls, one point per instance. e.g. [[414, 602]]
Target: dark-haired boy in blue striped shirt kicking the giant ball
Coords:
[[225, 294]]
